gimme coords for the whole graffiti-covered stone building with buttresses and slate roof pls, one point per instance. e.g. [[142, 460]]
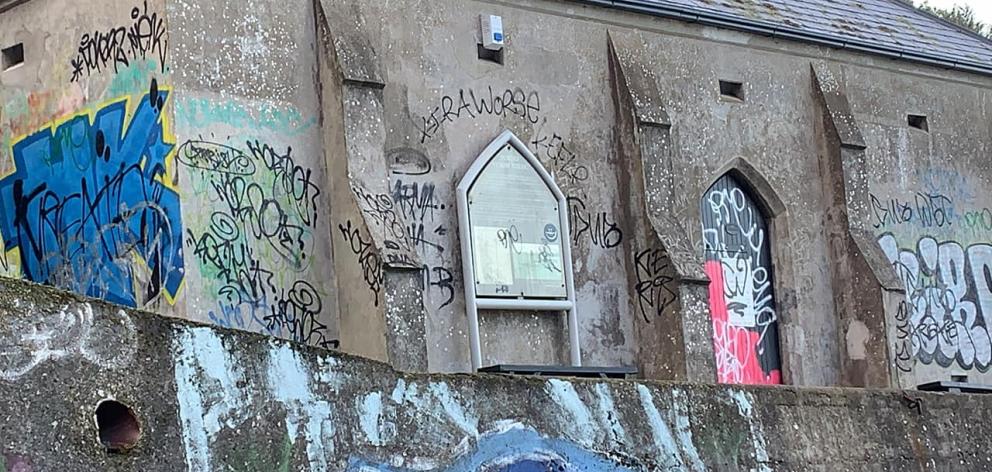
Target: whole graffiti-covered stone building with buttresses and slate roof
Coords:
[[786, 191]]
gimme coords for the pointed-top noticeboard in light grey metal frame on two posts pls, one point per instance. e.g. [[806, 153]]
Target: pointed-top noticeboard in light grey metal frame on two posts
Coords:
[[513, 225]]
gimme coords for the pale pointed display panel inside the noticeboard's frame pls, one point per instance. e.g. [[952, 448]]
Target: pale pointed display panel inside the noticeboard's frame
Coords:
[[516, 231]]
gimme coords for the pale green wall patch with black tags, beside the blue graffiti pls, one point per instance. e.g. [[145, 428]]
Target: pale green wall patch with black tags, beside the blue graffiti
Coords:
[[257, 234]]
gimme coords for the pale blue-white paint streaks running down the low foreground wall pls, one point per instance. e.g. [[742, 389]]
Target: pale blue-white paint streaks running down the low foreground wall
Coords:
[[217, 394]]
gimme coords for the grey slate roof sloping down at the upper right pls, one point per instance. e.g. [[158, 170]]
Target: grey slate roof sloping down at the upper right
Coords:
[[887, 27]]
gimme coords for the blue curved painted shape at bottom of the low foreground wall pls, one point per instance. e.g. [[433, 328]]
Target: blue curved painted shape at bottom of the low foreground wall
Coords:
[[516, 450]]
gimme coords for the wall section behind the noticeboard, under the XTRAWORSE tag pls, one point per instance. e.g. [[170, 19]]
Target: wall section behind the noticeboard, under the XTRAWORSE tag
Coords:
[[434, 126]]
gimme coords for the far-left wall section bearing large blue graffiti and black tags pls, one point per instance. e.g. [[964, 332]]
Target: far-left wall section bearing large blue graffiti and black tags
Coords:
[[88, 188]]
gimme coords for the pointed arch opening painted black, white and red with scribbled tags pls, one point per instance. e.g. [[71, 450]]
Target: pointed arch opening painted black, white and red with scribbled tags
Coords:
[[742, 300]]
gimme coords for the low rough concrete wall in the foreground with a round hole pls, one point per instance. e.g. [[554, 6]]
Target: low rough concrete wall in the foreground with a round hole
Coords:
[[213, 399]]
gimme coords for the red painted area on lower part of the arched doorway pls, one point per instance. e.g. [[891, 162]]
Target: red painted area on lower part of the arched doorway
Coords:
[[736, 348]]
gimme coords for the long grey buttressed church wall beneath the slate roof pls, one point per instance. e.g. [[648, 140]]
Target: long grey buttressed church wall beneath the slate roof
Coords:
[[627, 112]]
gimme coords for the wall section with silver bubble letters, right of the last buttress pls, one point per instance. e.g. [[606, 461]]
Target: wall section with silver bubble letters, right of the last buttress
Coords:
[[927, 207]]
